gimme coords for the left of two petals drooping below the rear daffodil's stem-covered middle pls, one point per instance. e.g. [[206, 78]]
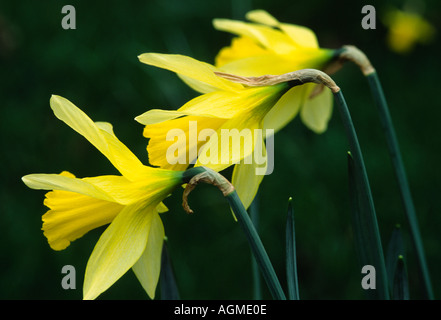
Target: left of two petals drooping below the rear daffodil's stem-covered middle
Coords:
[[285, 109]]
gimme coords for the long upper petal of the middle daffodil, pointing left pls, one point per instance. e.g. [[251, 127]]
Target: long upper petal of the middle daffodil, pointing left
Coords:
[[189, 67]]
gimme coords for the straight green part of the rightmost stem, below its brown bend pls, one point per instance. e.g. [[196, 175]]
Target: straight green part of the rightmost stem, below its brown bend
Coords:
[[400, 173]]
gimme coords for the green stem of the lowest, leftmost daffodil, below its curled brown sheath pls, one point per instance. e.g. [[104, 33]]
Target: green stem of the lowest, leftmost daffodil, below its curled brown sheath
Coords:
[[256, 246]]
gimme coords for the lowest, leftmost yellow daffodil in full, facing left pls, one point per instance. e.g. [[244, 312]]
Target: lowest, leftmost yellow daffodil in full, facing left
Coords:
[[130, 202]]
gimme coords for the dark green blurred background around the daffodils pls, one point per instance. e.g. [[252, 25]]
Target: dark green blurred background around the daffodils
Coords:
[[96, 67]]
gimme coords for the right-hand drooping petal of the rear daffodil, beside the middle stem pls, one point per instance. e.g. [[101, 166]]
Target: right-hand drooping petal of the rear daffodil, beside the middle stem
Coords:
[[317, 111]]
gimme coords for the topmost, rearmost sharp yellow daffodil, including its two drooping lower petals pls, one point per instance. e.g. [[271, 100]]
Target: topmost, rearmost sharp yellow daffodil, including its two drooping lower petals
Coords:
[[267, 46]]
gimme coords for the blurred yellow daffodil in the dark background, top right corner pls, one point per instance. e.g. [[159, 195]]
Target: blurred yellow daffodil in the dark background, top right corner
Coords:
[[406, 29]]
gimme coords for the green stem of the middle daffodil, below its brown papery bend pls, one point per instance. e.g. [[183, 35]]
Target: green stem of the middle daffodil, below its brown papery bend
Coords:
[[360, 169]]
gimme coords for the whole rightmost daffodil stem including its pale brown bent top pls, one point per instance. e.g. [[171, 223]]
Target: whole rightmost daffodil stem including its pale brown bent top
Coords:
[[356, 56]]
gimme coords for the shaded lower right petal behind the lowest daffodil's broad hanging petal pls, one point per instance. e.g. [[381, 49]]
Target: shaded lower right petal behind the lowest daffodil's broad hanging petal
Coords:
[[148, 267]]
